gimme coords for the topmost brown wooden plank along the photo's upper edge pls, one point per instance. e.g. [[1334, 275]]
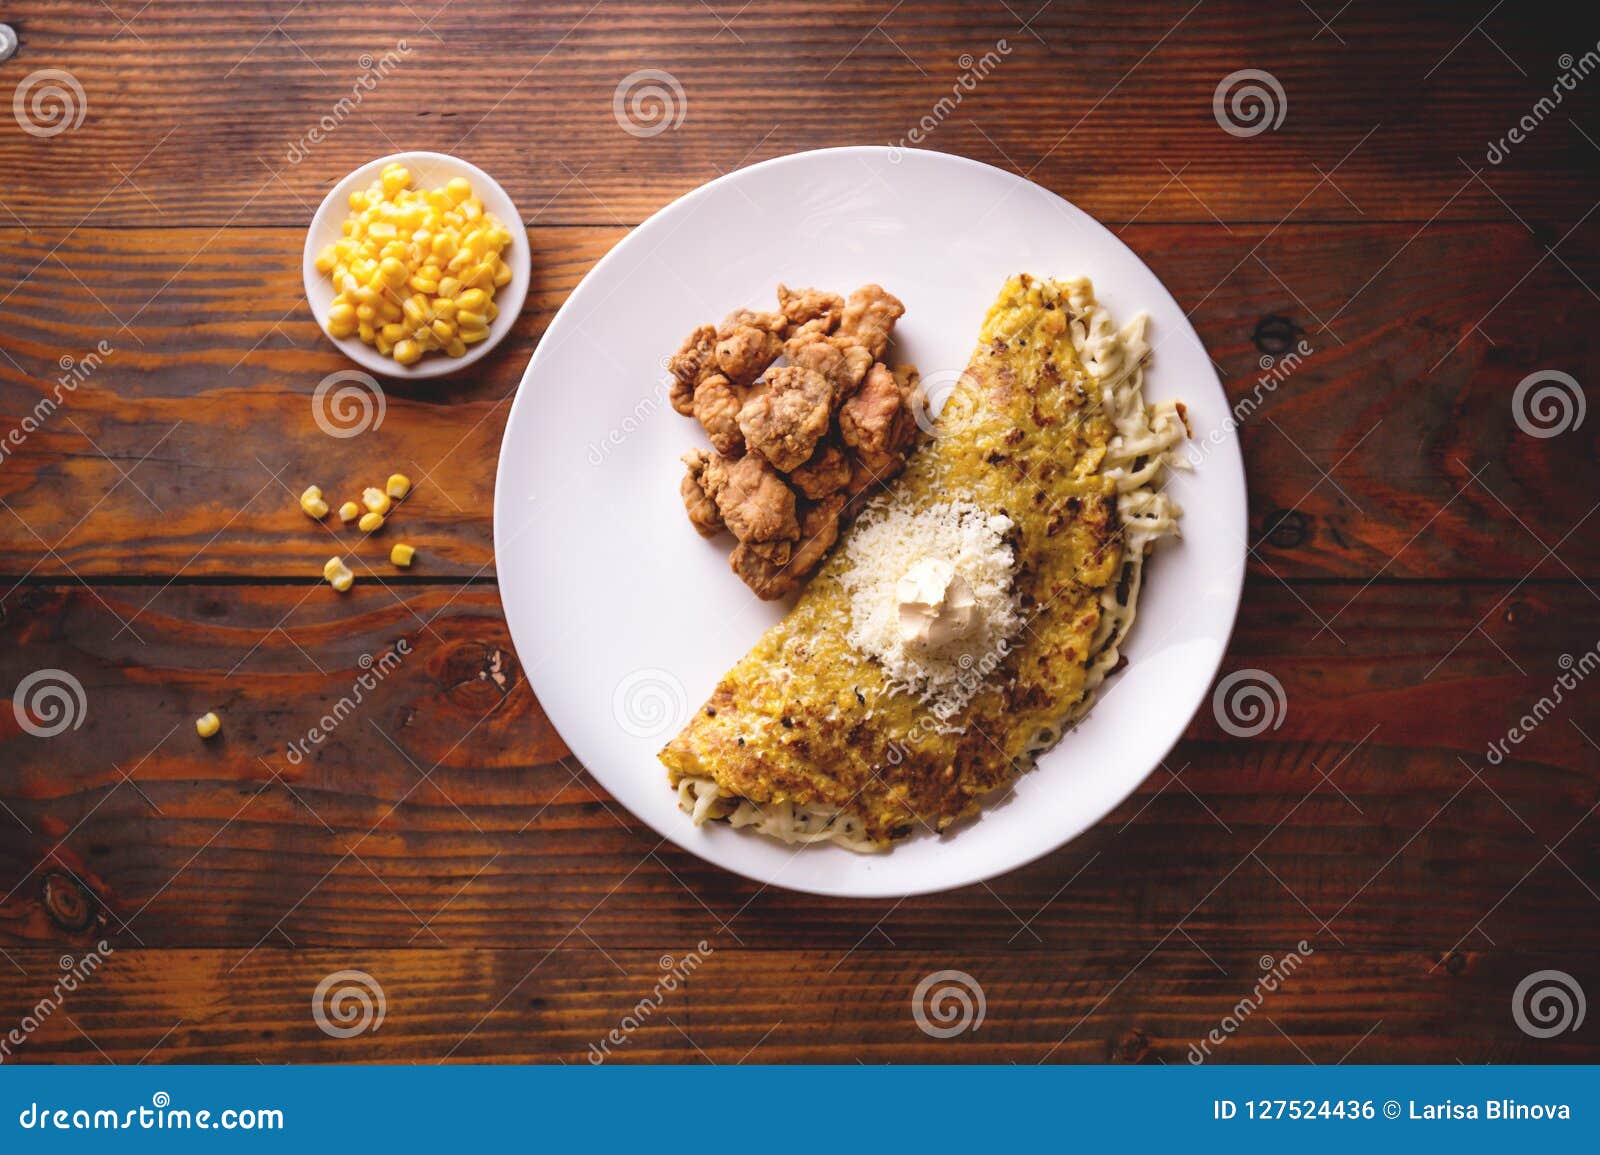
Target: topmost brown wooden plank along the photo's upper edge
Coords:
[[1111, 106]]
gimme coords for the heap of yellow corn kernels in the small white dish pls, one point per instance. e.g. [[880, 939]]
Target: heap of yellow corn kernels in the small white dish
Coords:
[[428, 244]]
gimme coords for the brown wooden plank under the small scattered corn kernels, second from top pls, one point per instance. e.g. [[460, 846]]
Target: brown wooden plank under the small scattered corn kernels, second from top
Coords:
[[1390, 449]]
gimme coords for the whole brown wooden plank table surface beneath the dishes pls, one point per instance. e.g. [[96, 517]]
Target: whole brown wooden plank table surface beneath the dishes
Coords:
[[1425, 554]]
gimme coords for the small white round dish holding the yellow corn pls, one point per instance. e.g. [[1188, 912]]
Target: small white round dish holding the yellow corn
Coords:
[[430, 170]]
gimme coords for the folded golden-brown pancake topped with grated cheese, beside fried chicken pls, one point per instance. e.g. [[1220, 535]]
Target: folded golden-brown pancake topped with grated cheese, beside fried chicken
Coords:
[[852, 719]]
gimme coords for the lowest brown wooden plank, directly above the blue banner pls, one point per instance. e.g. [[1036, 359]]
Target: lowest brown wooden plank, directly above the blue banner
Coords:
[[745, 1005]]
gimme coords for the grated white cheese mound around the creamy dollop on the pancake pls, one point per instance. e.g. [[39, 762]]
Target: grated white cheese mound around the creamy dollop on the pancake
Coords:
[[890, 540]]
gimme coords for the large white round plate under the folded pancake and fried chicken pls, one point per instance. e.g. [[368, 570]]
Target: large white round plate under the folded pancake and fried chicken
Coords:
[[625, 618]]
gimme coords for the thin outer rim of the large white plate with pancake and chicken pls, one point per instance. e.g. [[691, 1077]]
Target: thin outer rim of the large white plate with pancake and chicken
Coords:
[[1002, 868]]
